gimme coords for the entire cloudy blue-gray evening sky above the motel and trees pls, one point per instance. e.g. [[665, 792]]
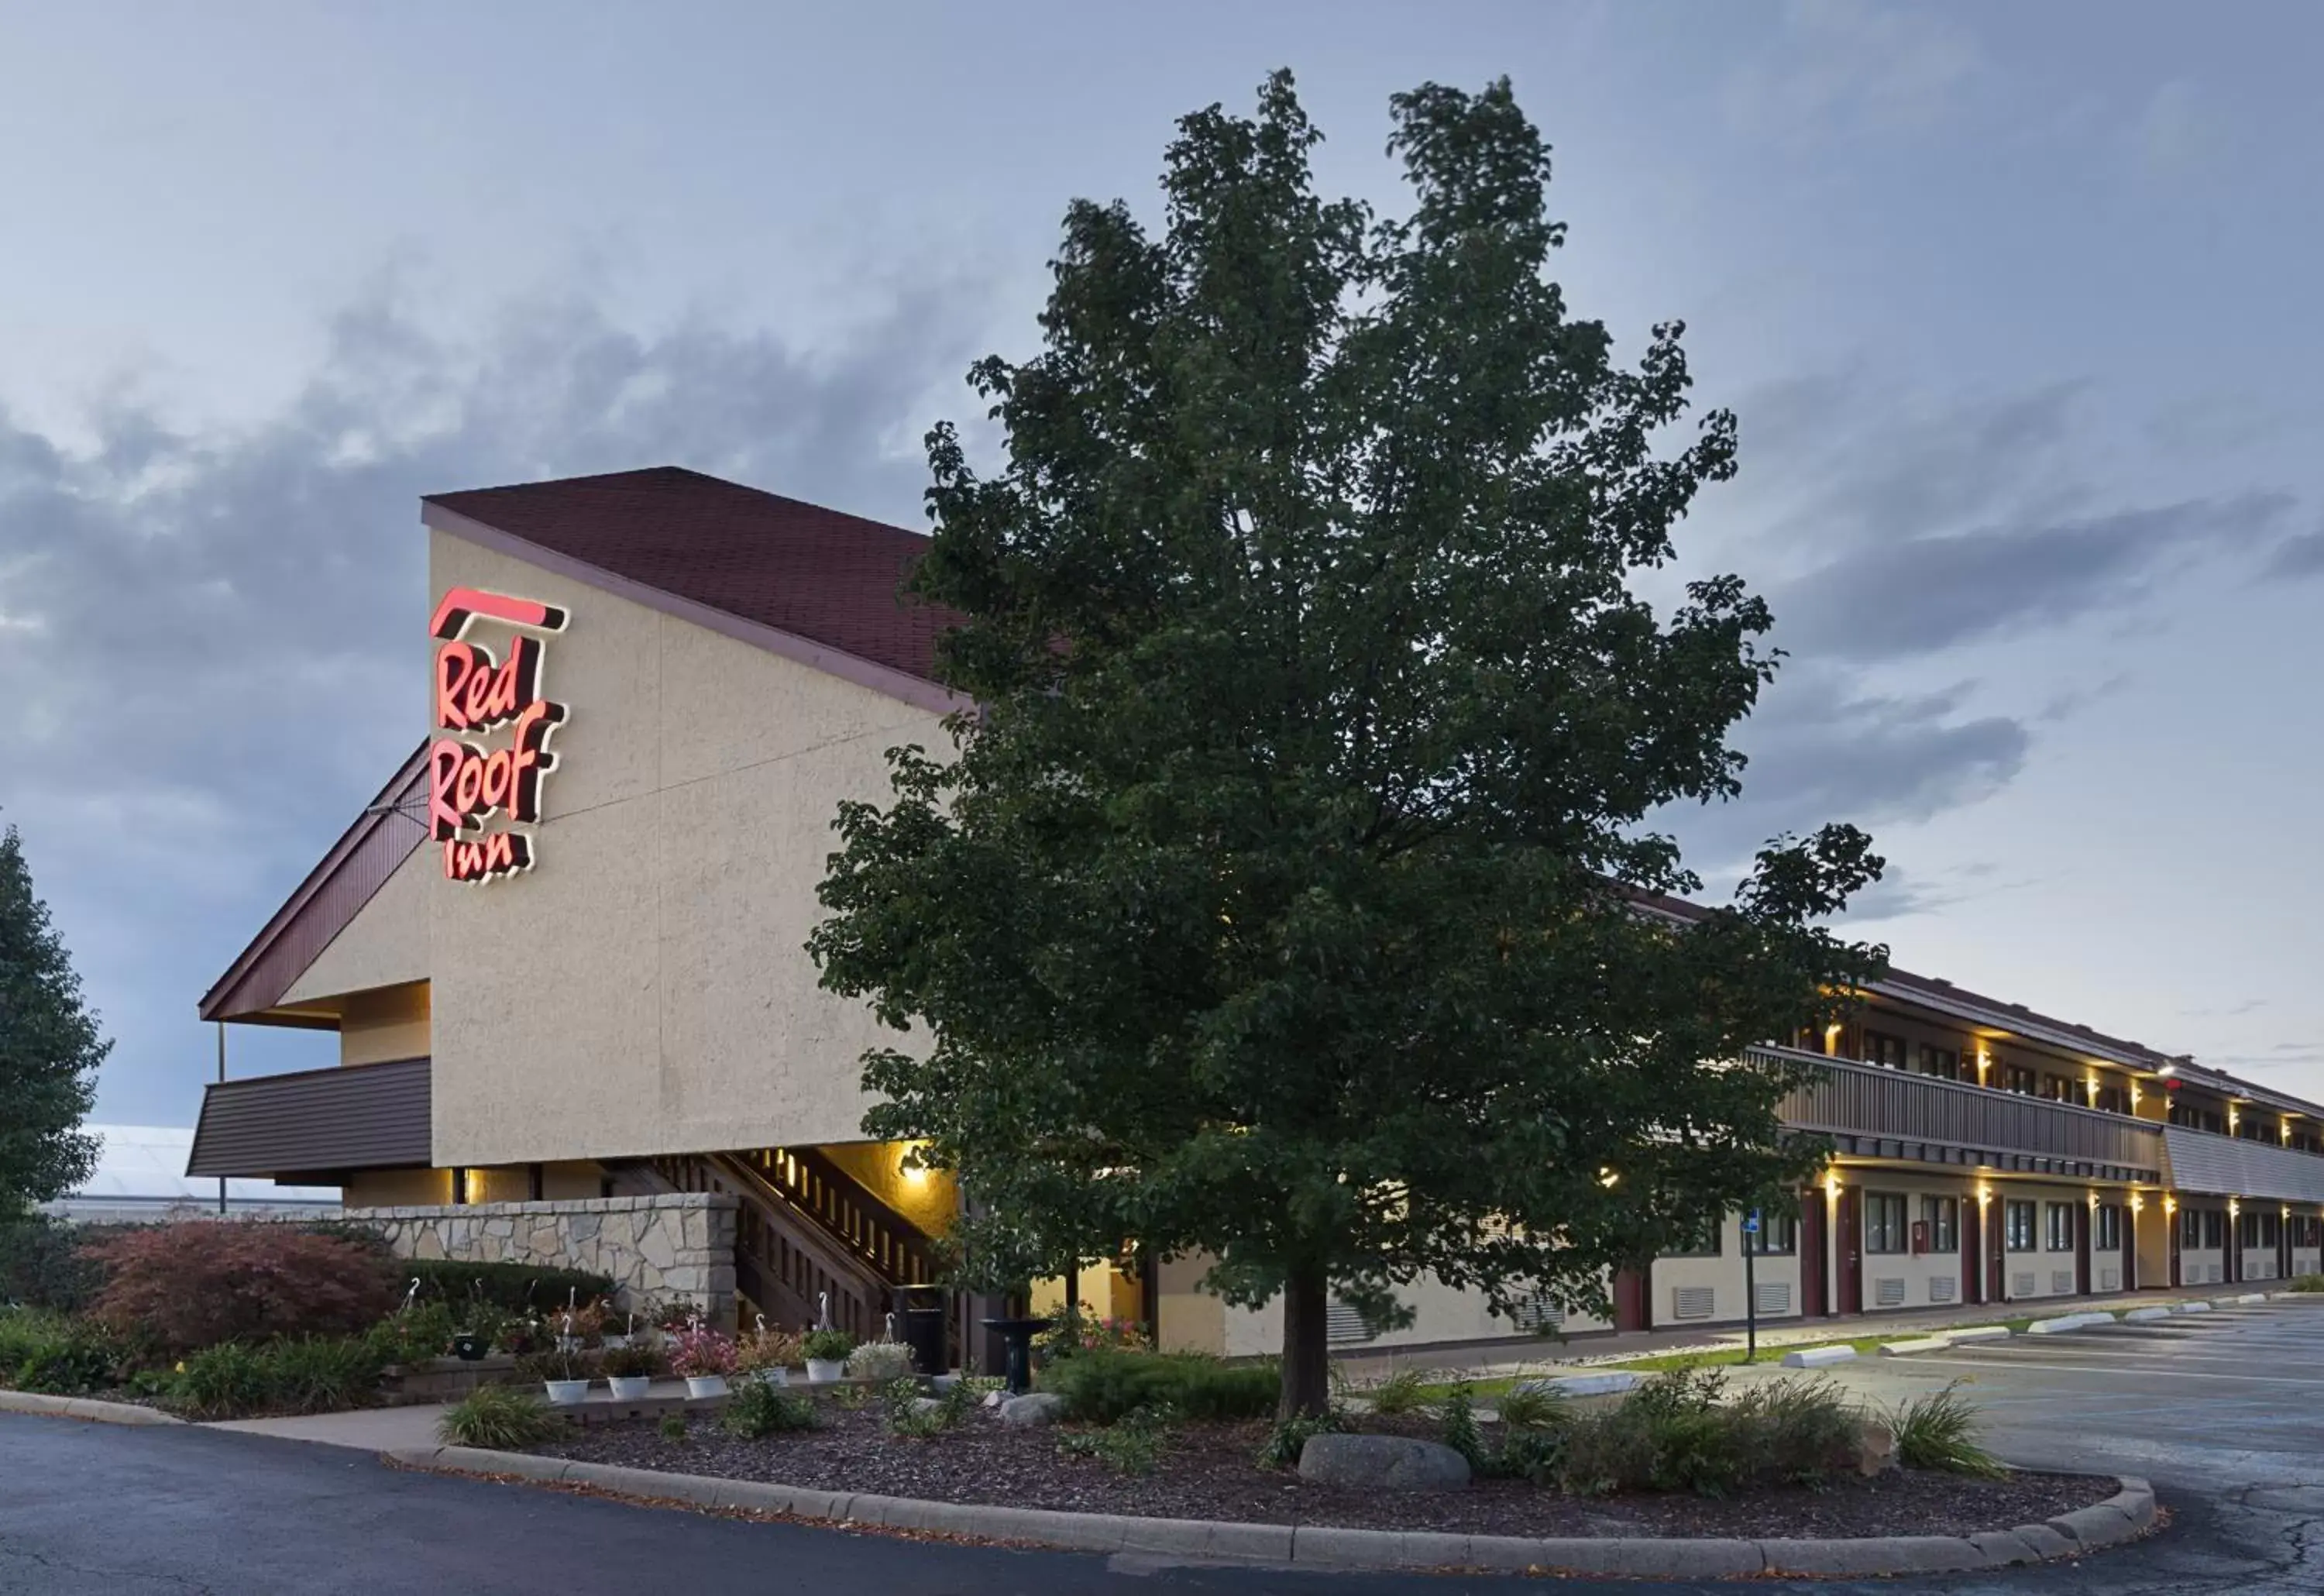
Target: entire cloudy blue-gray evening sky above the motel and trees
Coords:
[[2016, 305]]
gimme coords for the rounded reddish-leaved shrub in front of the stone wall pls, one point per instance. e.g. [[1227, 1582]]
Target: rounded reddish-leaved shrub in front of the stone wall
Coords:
[[180, 1288]]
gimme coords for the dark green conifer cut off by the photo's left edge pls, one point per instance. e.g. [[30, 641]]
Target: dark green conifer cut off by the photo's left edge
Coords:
[[50, 1049]]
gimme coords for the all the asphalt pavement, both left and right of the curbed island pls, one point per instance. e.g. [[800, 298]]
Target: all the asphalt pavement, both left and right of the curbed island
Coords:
[[2223, 1411]]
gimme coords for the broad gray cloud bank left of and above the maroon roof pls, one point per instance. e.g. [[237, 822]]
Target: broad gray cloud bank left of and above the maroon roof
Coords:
[[208, 640]]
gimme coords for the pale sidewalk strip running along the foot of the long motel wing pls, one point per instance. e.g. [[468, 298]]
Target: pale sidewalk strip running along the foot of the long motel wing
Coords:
[[1791, 1332]]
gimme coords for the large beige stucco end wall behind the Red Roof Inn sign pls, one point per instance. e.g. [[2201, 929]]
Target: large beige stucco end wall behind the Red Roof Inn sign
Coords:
[[643, 988]]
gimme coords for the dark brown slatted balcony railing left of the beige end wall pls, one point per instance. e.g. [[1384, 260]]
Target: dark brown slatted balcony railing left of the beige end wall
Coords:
[[315, 1121]]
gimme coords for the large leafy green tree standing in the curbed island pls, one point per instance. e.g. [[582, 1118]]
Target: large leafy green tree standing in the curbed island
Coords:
[[1289, 898]]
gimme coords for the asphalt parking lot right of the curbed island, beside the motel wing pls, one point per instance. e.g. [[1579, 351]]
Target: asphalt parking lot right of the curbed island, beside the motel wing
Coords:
[[2223, 1411]]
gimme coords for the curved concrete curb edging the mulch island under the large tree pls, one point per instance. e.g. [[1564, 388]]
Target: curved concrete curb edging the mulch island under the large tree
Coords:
[[2125, 1516]]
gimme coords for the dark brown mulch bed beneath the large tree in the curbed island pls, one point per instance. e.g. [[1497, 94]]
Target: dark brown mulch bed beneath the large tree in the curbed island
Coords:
[[1210, 1474]]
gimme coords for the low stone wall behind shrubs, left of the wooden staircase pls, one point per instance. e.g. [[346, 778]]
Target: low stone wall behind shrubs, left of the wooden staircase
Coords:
[[664, 1246]]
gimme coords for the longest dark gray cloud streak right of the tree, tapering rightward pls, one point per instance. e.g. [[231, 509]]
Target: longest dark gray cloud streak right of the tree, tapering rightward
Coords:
[[1925, 594]]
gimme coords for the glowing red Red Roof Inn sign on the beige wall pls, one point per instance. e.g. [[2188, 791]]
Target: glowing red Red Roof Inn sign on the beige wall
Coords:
[[475, 696]]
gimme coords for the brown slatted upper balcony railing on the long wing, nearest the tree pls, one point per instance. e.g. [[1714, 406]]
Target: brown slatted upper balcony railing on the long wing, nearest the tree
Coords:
[[1956, 1123]]
